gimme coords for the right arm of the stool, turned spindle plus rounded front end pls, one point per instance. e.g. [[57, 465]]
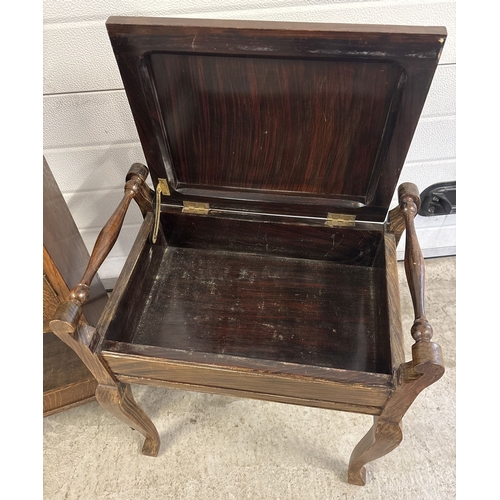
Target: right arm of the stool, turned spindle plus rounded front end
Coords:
[[426, 354]]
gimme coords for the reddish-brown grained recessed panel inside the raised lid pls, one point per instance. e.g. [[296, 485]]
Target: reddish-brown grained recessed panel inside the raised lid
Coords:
[[286, 125]]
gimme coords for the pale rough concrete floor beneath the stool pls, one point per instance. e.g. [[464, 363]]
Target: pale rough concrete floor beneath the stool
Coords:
[[216, 447]]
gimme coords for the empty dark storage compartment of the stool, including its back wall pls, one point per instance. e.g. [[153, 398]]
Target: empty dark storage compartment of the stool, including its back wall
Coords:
[[282, 292]]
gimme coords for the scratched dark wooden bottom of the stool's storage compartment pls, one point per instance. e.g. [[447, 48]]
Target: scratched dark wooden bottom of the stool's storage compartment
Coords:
[[256, 306]]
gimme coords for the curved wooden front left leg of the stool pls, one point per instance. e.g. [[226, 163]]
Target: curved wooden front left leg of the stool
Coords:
[[118, 400]]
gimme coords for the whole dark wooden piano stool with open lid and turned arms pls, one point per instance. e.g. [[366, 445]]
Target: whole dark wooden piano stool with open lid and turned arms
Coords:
[[266, 264]]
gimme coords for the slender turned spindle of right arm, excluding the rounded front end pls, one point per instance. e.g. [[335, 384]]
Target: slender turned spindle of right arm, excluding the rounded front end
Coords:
[[409, 203]]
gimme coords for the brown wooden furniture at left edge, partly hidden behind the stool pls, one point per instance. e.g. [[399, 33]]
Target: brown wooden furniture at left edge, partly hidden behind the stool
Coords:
[[67, 382]]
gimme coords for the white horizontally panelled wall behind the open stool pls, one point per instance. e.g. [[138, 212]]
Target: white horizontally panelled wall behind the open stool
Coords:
[[90, 139]]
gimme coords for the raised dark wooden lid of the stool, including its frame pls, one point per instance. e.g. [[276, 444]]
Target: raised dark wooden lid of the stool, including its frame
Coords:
[[279, 118]]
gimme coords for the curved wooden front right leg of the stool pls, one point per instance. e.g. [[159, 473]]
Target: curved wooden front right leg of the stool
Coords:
[[381, 439]]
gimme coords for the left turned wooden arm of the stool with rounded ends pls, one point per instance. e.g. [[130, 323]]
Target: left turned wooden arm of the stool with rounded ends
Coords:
[[68, 313]]
